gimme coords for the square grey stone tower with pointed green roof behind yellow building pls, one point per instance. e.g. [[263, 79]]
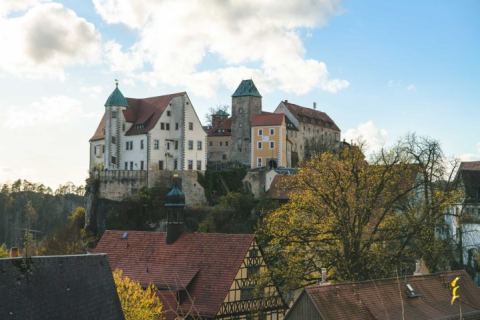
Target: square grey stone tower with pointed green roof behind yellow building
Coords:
[[246, 102]]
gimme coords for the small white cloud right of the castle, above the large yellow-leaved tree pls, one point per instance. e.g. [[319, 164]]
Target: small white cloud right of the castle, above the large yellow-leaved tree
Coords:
[[368, 133]]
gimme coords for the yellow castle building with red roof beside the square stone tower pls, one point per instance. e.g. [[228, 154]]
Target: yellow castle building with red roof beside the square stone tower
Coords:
[[269, 146]]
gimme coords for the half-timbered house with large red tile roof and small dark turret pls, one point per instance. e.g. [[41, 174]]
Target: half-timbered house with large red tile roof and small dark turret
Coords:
[[197, 275]]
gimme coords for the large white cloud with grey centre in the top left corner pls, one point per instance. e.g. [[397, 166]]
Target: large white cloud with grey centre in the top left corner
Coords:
[[45, 39]]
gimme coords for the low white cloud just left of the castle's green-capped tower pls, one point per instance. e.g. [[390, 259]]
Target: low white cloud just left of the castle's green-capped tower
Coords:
[[47, 111]]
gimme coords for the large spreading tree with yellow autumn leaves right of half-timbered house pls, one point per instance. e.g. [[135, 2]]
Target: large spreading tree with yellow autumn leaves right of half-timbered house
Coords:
[[358, 220]]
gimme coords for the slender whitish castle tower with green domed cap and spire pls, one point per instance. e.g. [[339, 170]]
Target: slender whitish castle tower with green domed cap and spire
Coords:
[[114, 106]]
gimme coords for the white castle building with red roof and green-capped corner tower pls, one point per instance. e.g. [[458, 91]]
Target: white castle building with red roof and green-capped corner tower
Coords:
[[149, 134]]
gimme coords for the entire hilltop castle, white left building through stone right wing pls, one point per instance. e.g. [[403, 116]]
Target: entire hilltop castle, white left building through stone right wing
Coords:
[[141, 142]]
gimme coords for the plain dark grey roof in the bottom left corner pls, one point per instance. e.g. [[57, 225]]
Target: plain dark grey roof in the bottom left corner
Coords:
[[76, 287]]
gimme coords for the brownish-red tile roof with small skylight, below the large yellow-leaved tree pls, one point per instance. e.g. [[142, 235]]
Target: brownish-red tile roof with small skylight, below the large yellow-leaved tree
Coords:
[[380, 299]]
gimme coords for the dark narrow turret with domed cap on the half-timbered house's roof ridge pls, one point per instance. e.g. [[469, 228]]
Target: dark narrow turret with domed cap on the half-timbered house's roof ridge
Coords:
[[174, 203]]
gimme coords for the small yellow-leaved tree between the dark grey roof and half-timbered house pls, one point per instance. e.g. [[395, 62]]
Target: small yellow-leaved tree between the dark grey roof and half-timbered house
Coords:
[[137, 303]]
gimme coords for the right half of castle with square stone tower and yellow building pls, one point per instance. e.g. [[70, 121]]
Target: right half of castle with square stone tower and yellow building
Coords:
[[256, 138]]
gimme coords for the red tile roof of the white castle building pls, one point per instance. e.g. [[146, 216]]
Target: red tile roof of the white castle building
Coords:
[[142, 113]]
